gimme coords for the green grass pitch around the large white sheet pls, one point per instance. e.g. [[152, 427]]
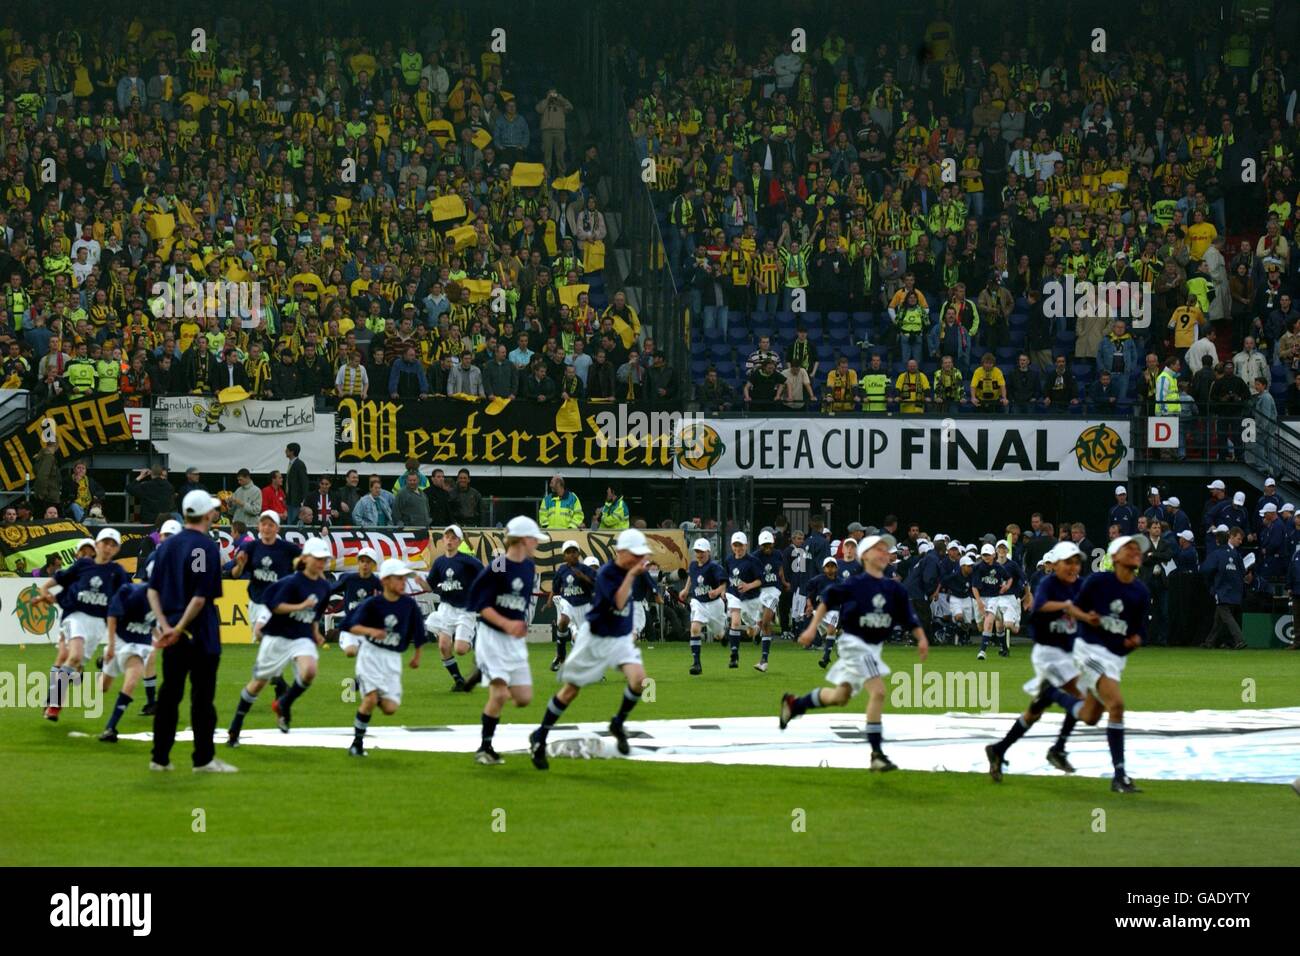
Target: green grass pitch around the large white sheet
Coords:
[[64, 799]]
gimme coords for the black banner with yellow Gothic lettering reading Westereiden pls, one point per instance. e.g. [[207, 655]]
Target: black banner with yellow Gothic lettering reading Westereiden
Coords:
[[505, 435]]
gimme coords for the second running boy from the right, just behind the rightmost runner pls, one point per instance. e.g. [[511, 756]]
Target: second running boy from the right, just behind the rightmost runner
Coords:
[[1054, 622]]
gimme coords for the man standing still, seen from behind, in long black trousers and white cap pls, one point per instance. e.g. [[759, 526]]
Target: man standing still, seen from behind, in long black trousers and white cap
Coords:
[[184, 591]]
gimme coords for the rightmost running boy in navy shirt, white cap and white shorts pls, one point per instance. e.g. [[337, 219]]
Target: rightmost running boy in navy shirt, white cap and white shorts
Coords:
[[1121, 604]]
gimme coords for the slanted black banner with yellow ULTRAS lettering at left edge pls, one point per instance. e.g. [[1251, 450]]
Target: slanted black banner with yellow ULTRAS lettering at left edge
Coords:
[[81, 429]]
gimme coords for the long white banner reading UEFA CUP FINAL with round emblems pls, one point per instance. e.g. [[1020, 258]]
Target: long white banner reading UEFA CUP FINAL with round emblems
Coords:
[[957, 449]]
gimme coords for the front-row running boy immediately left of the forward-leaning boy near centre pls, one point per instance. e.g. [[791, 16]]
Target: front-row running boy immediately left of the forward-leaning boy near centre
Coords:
[[502, 598]]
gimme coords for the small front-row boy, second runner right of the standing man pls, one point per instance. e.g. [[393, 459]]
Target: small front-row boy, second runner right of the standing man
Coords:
[[389, 624]]
